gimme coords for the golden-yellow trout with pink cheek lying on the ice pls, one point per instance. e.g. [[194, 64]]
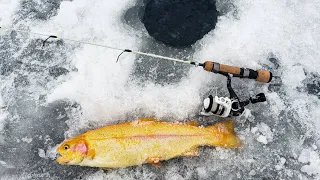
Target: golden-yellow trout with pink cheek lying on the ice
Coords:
[[145, 140]]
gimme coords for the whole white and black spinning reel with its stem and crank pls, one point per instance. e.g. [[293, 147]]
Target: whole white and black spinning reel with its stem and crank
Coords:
[[228, 106]]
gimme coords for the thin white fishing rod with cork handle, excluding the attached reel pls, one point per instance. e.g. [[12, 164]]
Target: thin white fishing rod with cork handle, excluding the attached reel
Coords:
[[214, 67]]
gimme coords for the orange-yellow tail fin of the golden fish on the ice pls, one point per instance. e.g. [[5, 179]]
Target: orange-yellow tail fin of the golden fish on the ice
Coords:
[[223, 135]]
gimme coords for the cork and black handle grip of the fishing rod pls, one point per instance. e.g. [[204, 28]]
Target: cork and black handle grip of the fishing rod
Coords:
[[259, 75]]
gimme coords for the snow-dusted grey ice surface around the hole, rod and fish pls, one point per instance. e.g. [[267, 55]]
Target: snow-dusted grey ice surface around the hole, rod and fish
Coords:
[[65, 89]]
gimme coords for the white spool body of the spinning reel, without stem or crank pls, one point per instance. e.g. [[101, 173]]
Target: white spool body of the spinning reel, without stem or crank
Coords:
[[217, 106]]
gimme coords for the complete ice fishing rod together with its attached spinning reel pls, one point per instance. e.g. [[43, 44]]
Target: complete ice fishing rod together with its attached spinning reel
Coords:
[[213, 106]]
